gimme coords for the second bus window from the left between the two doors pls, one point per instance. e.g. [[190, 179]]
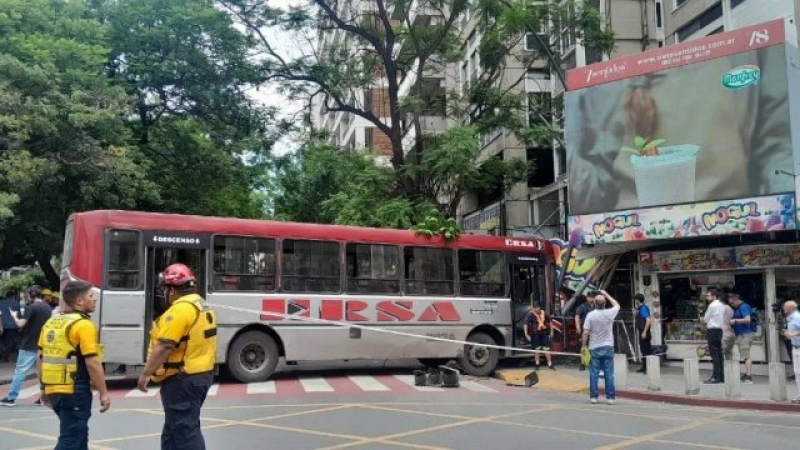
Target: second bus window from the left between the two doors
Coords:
[[310, 266]]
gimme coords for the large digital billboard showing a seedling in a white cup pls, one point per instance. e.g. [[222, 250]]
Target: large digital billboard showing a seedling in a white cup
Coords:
[[693, 123]]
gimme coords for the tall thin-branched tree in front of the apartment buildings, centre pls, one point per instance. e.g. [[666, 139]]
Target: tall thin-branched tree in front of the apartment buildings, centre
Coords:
[[384, 43]]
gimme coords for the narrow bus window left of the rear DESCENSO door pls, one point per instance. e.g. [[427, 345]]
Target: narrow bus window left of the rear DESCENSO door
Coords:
[[123, 260]]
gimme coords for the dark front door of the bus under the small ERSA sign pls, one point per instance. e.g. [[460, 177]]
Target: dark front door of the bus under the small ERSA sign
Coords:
[[527, 286]]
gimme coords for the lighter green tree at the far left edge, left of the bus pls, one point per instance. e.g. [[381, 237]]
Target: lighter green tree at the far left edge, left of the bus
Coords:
[[62, 140]]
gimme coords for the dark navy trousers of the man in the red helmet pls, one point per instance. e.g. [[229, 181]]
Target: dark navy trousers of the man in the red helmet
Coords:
[[182, 397]]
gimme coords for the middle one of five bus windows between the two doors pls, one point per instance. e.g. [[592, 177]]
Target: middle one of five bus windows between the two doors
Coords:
[[373, 269]]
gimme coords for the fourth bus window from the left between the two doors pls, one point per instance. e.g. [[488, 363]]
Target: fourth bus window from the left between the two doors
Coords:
[[429, 271]]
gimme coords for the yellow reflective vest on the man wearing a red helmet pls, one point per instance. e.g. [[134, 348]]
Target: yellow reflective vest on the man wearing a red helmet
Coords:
[[197, 351]]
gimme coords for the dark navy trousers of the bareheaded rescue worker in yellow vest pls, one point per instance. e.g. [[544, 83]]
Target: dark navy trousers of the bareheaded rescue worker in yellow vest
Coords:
[[73, 411]]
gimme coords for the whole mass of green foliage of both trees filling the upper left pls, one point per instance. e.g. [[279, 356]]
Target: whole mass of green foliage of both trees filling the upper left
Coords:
[[123, 104]]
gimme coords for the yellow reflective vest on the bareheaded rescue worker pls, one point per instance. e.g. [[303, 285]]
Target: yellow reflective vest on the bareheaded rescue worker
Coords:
[[62, 363]]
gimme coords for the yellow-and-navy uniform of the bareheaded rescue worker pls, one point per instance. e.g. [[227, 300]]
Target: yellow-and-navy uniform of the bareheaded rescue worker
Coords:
[[65, 342]]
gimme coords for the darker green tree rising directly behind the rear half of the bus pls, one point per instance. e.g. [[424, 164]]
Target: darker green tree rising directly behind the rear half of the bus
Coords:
[[187, 69]]
